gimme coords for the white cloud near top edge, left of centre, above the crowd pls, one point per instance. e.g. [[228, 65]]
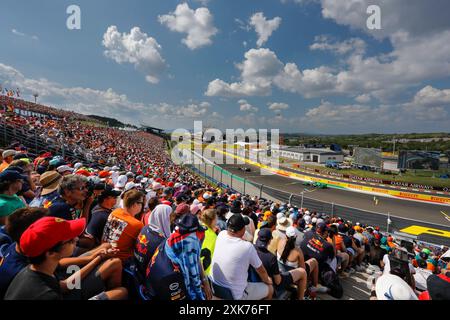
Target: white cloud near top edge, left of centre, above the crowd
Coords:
[[198, 25]]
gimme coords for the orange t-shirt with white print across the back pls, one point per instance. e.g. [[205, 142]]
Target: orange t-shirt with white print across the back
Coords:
[[122, 229]]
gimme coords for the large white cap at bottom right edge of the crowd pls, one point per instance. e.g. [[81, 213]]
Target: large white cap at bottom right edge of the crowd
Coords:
[[391, 287]]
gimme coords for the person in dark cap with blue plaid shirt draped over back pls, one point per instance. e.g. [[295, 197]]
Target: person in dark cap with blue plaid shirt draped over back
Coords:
[[181, 251]]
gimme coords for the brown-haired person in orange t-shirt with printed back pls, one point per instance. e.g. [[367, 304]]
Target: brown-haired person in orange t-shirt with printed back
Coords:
[[122, 228]]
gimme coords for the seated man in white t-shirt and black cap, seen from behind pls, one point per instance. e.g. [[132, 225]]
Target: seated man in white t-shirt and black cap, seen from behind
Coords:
[[232, 259]]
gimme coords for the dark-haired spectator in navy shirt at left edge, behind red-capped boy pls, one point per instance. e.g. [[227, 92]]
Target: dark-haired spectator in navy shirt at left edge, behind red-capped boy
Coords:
[[12, 261]]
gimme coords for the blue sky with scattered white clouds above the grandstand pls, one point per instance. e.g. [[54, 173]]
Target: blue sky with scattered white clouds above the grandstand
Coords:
[[310, 66]]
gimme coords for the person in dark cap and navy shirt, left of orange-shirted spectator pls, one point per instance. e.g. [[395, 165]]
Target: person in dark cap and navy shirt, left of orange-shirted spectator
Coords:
[[99, 215]]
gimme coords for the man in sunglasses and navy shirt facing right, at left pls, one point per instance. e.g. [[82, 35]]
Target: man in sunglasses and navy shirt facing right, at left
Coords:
[[70, 203]]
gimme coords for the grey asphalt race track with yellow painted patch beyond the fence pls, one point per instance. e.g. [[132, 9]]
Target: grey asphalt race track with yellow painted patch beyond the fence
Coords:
[[417, 220]]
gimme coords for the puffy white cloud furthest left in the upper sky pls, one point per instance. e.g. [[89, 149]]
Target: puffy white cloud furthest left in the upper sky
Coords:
[[136, 48]]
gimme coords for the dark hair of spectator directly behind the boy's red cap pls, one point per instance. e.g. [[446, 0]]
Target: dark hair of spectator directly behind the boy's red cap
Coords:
[[21, 219]]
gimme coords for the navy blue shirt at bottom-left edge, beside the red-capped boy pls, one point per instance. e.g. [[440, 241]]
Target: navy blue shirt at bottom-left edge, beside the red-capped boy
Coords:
[[11, 263]]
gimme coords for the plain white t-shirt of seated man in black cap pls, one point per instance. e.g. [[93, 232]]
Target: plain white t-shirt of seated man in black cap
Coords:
[[231, 260]]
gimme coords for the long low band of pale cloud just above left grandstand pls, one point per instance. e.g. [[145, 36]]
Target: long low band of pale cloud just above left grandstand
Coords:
[[106, 102]]
